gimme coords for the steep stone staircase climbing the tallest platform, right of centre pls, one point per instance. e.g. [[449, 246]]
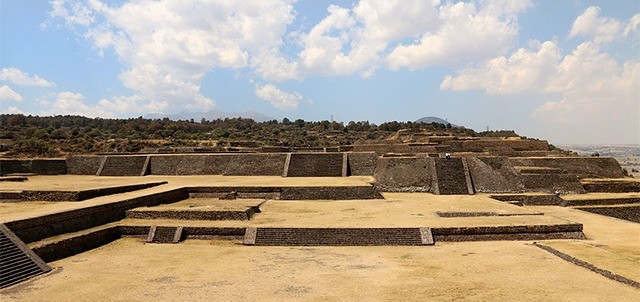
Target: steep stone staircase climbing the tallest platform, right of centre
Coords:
[[451, 177]]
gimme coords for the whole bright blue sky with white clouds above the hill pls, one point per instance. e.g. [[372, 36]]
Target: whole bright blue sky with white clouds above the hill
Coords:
[[566, 71]]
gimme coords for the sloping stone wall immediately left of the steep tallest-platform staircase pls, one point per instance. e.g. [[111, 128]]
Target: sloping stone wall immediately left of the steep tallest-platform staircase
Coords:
[[405, 174]]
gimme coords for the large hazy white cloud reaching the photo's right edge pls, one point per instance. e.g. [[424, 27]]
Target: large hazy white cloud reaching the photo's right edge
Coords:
[[586, 89]]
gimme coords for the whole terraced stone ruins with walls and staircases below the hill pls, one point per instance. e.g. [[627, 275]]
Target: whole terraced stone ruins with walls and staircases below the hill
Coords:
[[518, 172]]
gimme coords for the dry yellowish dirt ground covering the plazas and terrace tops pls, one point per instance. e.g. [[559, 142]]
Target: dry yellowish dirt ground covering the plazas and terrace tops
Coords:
[[205, 270]]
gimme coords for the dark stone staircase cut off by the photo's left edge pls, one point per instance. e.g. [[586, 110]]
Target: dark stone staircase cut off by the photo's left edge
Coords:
[[17, 262]]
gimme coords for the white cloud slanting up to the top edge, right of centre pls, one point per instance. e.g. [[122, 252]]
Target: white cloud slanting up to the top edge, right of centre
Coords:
[[468, 32]]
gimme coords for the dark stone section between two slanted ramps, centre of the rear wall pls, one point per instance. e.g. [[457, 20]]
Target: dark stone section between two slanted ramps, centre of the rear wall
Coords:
[[315, 164]]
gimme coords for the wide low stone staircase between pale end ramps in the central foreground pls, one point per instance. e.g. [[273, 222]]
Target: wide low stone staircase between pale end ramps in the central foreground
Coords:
[[338, 236]]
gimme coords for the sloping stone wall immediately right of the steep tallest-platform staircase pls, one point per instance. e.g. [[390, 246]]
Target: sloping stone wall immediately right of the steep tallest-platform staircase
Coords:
[[494, 175]]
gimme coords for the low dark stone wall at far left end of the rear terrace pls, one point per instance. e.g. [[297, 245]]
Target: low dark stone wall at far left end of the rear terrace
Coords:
[[35, 166]]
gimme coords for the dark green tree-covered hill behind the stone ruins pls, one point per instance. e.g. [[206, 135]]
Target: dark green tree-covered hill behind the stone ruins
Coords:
[[55, 136]]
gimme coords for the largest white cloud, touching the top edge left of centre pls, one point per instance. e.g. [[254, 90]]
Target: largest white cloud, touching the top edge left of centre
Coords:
[[171, 45]]
